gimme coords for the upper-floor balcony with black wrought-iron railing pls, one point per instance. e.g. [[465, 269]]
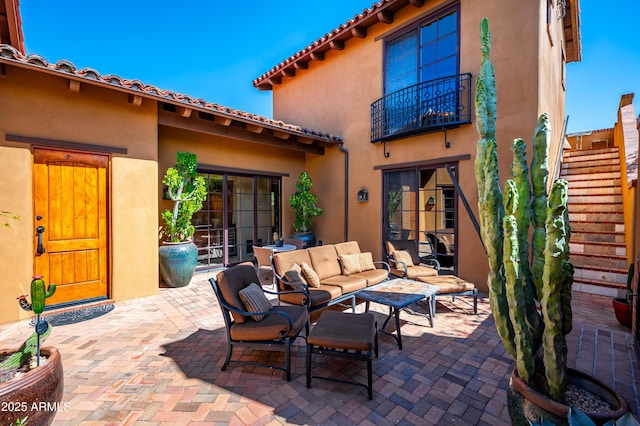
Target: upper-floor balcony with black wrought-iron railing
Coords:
[[425, 107]]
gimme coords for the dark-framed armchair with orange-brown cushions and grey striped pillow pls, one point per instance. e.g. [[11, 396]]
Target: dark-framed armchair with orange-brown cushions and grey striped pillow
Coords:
[[250, 319]]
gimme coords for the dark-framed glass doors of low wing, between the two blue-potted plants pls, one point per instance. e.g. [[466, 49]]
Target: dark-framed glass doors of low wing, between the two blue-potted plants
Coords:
[[240, 211]]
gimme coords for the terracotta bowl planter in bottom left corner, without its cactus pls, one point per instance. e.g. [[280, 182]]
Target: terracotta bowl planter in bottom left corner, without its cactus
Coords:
[[36, 394]]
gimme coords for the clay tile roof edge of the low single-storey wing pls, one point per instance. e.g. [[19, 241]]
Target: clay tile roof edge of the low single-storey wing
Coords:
[[66, 69]]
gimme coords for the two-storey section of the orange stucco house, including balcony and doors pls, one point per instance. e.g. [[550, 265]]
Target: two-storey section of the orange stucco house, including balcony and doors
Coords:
[[397, 83]]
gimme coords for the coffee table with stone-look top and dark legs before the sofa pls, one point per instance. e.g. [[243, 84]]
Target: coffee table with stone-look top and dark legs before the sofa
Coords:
[[397, 294]]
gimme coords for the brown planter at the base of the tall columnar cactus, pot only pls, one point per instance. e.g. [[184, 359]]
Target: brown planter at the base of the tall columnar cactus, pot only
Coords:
[[526, 404]]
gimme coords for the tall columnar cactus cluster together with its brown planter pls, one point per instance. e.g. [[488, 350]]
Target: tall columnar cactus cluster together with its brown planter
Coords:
[[518, 282]]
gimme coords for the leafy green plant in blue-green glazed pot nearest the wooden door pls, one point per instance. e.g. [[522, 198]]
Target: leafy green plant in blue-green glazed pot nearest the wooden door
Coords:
[[178, 254]]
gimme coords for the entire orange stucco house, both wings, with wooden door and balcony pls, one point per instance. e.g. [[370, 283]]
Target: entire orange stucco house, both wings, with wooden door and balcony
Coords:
[[383, 115]]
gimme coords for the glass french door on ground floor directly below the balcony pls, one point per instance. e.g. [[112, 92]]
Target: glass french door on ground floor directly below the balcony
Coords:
[[420, 204]]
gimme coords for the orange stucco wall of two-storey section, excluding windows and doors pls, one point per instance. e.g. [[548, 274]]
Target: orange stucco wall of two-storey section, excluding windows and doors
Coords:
[[335, 95]]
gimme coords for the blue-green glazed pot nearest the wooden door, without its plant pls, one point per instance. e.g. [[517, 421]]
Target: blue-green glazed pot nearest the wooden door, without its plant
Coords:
[[178, 262]]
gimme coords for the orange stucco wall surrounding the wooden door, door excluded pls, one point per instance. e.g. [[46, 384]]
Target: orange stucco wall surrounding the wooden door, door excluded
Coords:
[[38, 105]]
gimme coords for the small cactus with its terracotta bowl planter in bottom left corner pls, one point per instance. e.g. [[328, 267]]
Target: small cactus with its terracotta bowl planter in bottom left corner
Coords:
[[31, 388]]
